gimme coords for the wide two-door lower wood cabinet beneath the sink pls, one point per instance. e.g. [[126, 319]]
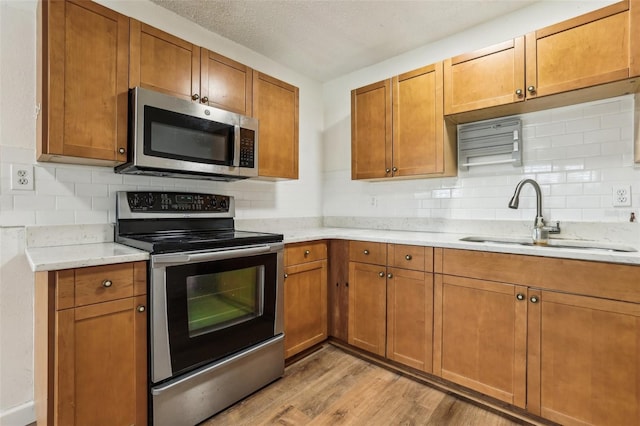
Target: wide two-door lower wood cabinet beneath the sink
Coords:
[[542, 334]]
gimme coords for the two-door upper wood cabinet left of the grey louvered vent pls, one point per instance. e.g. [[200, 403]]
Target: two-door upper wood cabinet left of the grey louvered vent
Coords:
[[397, 127]]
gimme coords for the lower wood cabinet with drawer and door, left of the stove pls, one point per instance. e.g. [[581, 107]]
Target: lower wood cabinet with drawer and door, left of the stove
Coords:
[[91, 346]]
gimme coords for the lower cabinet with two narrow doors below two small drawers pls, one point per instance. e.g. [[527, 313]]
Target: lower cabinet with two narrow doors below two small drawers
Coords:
[[391, 301]]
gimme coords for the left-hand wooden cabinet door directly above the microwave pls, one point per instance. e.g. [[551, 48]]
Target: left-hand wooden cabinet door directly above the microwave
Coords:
[[163, 62]]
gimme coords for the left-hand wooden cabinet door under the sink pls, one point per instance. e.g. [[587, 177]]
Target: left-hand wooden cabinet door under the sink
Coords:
[[480, 336]]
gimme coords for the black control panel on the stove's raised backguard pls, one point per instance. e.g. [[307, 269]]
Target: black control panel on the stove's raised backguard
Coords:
[[177, 202]]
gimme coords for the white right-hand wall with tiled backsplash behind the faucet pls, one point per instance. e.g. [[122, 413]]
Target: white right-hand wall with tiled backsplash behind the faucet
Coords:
[[577, 153]]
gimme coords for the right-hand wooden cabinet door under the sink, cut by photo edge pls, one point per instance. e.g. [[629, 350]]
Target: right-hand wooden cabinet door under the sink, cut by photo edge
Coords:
[[583, 359]]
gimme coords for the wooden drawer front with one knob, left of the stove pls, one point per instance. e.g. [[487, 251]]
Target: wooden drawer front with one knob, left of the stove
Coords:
[[85, 286]]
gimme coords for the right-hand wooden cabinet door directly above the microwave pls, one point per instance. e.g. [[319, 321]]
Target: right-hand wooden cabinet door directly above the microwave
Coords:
[[225, 83]]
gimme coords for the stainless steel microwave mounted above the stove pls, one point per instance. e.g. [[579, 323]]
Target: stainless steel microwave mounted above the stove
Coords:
[[173, 137]]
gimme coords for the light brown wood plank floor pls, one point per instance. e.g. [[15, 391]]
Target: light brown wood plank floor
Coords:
[[331, 387]]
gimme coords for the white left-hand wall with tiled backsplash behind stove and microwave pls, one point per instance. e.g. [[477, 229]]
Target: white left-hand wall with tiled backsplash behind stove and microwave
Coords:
[[67, 194]]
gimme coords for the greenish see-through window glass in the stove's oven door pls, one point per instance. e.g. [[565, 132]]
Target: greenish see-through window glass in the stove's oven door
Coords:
[[222, 299]]
